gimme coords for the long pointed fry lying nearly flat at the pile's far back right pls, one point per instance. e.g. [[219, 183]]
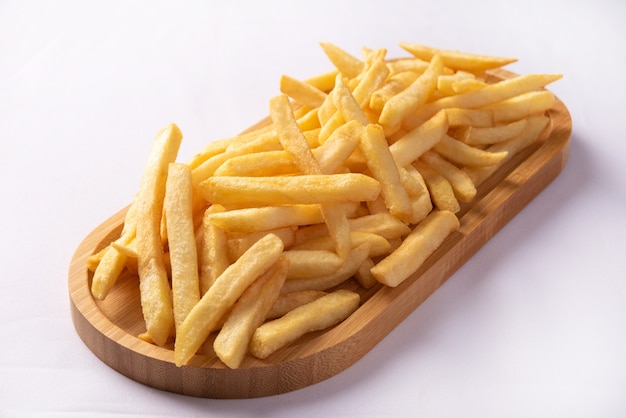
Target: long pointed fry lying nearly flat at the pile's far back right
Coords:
[[457, 60]]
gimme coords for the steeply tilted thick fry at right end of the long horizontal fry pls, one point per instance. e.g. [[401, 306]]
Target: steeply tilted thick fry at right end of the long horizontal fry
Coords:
[[383, 168]]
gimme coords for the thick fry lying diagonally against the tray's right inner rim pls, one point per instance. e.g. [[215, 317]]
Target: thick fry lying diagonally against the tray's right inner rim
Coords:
[[416, 248]]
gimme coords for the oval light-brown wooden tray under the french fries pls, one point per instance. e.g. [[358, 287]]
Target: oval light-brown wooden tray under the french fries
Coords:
[[109, 328]]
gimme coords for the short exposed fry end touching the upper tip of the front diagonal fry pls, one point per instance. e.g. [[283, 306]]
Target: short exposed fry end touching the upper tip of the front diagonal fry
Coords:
[[304, 264]]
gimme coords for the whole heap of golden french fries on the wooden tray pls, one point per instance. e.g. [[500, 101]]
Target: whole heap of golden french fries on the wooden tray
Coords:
[[358, 174]]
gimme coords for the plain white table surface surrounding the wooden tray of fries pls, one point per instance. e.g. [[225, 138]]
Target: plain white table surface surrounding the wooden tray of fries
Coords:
[[533, 325]]
